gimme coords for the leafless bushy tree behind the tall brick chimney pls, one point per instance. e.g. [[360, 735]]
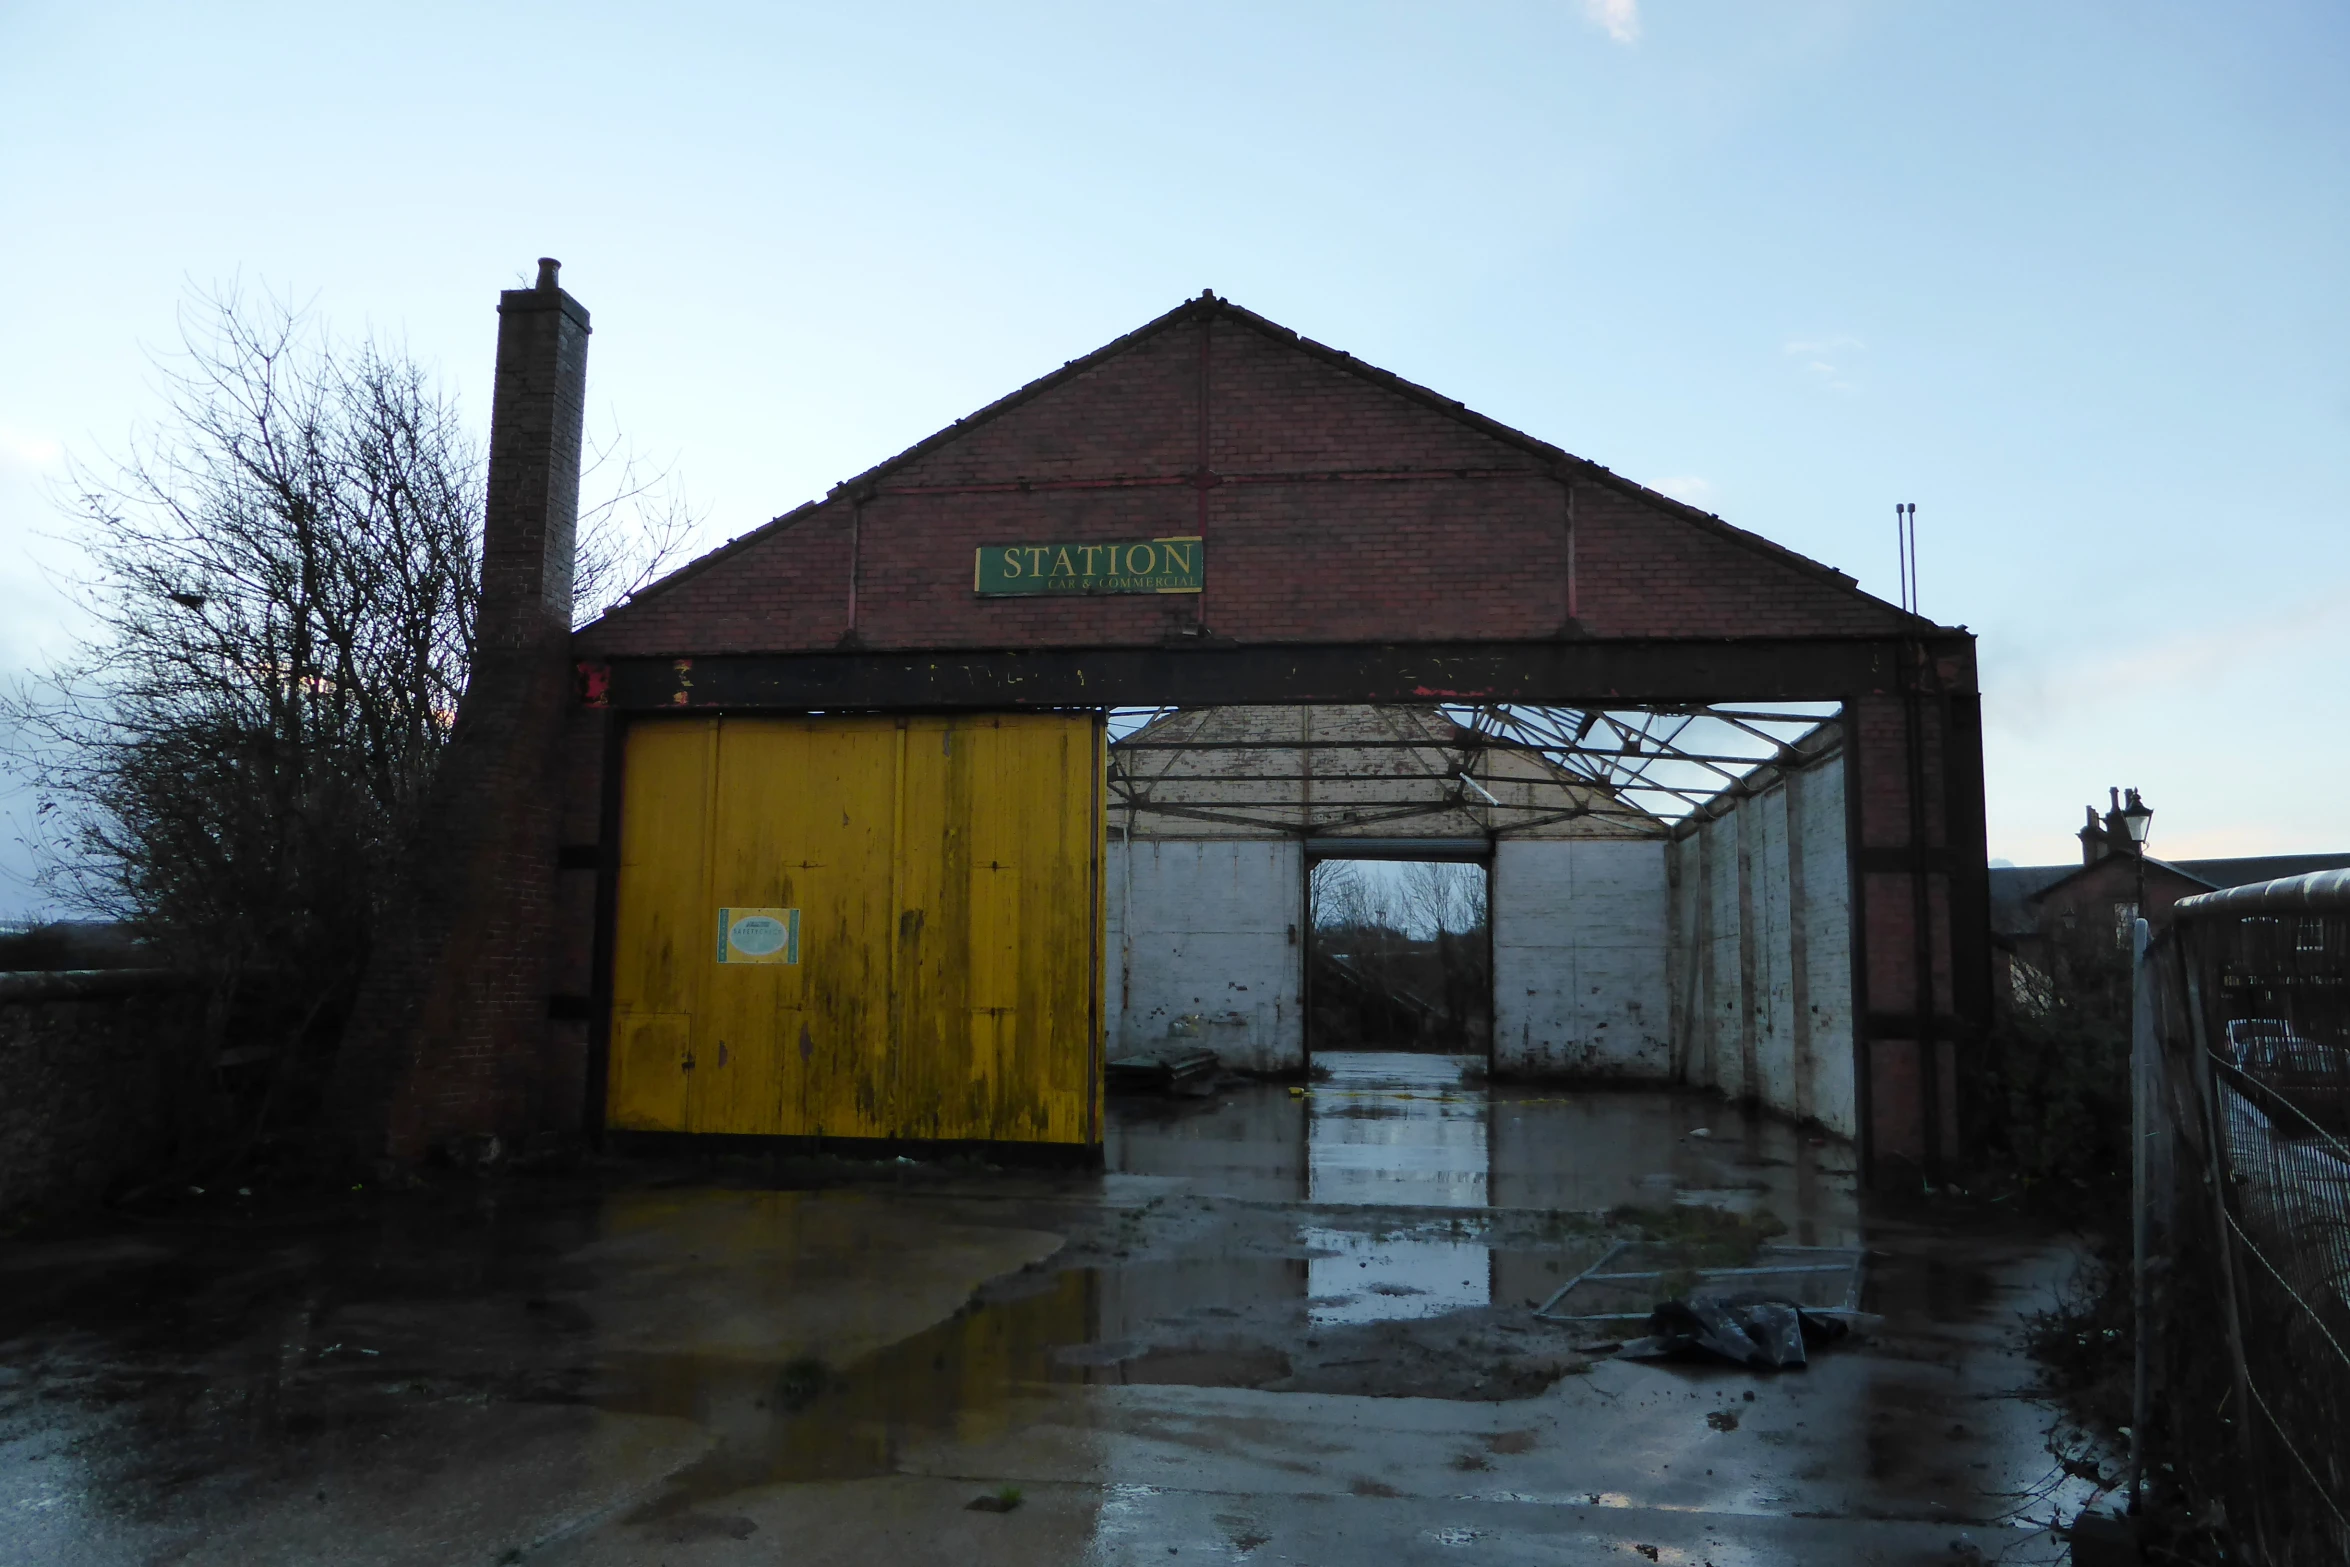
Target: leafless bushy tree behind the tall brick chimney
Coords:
[[283, 584]]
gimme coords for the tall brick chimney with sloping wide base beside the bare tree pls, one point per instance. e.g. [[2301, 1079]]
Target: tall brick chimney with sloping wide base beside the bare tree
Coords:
[[452, 1014]]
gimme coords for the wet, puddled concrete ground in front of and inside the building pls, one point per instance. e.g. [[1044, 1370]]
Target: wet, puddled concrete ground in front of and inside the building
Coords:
[[1280, 1329]]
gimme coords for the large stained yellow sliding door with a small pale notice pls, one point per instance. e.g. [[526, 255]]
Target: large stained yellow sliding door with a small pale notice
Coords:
[[861, 929]]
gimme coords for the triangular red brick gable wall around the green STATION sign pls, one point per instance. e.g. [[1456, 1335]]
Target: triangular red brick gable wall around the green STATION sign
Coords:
[[1343, 506]]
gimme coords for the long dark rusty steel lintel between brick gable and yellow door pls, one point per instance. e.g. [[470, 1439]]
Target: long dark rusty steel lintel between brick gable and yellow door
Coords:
[[1538, 673]]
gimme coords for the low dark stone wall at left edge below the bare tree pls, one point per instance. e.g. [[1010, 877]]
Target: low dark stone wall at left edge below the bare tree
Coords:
[[95, 1075]]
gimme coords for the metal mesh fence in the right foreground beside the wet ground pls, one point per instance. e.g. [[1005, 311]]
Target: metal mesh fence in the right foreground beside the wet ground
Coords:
[[2243, 1216]]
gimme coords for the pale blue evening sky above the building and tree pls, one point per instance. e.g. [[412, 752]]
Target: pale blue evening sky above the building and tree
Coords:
[[2064, 276]]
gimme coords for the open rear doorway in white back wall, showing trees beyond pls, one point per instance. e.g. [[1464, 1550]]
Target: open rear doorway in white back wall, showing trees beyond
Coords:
[[1399, 957]]
